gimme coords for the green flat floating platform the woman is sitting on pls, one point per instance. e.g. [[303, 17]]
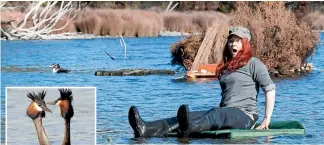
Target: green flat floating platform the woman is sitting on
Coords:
[[275, 128]]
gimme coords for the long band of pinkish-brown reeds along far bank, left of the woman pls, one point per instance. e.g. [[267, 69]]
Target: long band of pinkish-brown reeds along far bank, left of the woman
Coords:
[[130, 22]]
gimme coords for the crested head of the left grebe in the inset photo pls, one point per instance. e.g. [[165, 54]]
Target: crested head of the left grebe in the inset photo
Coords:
[[38, 106]]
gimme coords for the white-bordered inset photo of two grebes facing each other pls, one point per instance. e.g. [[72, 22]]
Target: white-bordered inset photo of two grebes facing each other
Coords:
[[51, 115]]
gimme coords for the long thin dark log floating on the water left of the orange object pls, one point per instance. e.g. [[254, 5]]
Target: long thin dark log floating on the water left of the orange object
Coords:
[[133, 72]]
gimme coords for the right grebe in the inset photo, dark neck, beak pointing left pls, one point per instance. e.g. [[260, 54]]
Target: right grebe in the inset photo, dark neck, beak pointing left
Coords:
[[65, 104]]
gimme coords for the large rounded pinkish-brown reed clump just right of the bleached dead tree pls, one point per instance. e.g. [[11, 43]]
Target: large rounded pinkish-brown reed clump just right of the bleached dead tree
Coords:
[[126, 22]]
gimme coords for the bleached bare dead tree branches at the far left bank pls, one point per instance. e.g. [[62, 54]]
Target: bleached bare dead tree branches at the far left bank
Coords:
[[43, 19]]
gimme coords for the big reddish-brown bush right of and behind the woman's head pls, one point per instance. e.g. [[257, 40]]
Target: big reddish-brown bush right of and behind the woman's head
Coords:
[[278, 39]]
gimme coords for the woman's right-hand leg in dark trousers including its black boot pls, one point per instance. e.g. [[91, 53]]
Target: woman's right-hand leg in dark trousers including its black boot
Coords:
[[214, 119]]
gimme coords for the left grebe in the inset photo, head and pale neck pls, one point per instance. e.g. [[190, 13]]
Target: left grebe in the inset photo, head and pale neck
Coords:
[[36, 111]]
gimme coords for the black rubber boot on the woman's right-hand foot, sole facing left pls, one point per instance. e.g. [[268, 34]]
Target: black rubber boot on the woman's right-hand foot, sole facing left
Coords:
[[189, 125]]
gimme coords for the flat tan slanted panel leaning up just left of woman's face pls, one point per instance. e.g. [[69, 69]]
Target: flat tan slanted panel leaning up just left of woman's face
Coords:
[[212, 47]]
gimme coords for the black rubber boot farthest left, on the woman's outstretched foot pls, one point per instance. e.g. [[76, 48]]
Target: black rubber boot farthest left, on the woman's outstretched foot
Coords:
[[159, 128]]
